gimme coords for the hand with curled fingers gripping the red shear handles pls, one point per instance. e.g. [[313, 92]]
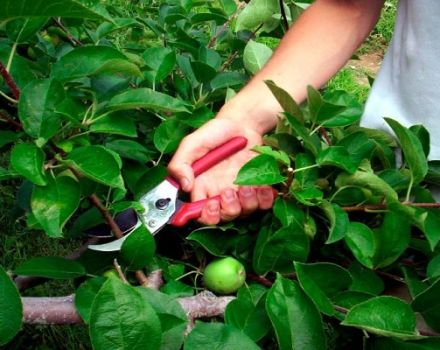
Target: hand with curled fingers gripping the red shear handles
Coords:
[[219, 179]]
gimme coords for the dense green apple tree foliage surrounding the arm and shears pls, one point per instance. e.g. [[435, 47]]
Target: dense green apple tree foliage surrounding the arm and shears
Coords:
[[97, 98]]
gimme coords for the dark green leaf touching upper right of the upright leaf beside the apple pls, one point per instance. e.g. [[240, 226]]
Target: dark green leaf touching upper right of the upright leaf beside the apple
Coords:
[[322, 281]]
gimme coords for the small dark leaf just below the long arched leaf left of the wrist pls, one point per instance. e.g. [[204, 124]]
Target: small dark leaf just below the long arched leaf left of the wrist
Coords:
[[115, 123]]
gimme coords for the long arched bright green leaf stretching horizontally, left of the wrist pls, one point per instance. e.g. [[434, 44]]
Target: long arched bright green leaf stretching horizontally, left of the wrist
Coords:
[[146, 98]]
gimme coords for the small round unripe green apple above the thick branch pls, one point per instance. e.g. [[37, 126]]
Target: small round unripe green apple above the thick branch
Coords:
[[224, 276]]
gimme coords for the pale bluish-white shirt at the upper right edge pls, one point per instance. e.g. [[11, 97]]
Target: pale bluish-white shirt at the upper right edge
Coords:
[[407, 87]]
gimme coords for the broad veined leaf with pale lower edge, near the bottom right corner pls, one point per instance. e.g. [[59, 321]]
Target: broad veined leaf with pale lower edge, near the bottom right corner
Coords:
[[384, 315]]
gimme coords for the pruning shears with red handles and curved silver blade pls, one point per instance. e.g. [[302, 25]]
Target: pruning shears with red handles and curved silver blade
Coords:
[[162, 205]]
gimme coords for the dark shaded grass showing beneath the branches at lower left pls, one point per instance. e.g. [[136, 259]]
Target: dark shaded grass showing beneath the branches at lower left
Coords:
[[18, 244]]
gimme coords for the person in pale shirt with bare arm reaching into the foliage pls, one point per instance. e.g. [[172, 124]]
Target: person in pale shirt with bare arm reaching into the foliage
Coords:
[[319, 44]]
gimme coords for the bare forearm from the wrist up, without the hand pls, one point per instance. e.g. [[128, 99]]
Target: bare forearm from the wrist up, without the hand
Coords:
[[322, 40]]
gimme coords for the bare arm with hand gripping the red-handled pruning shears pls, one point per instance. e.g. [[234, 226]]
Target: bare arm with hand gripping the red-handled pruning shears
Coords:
[[312, 51]]
